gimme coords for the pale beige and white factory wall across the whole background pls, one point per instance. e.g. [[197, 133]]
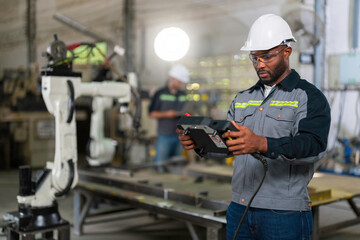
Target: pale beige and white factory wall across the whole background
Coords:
[[223, 34]]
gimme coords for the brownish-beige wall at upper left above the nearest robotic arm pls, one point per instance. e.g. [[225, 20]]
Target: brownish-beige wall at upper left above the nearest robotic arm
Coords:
[[104, 18]]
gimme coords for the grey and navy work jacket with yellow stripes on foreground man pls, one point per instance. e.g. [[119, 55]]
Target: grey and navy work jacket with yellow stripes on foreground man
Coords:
[[295, 119]]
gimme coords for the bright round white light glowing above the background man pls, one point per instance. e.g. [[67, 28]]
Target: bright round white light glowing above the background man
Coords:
[[171, 44]]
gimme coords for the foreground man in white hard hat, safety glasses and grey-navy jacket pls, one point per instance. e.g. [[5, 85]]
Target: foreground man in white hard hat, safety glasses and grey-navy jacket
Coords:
[[287, 120]]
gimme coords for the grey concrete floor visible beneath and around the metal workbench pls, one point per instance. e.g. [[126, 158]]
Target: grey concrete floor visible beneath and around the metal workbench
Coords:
[[139, 225]]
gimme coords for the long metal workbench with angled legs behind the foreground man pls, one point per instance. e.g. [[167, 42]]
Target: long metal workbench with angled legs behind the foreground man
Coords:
[[198, 194]]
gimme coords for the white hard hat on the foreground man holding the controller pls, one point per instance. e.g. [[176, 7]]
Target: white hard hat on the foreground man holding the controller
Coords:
[[268, 31]]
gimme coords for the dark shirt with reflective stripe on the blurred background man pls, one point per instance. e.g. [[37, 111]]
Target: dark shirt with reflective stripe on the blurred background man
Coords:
[[163, 100]]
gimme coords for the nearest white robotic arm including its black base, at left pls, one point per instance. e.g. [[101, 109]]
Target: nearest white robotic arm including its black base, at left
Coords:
[[37, 197]]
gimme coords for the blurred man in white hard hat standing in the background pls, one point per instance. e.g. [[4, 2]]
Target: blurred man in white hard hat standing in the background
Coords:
[[166, 106]]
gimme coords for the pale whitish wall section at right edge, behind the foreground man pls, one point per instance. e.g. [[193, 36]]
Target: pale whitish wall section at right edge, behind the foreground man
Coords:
[[344, 105]]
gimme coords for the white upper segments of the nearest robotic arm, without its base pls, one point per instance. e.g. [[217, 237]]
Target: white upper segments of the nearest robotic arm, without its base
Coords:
[[59, 93]]
